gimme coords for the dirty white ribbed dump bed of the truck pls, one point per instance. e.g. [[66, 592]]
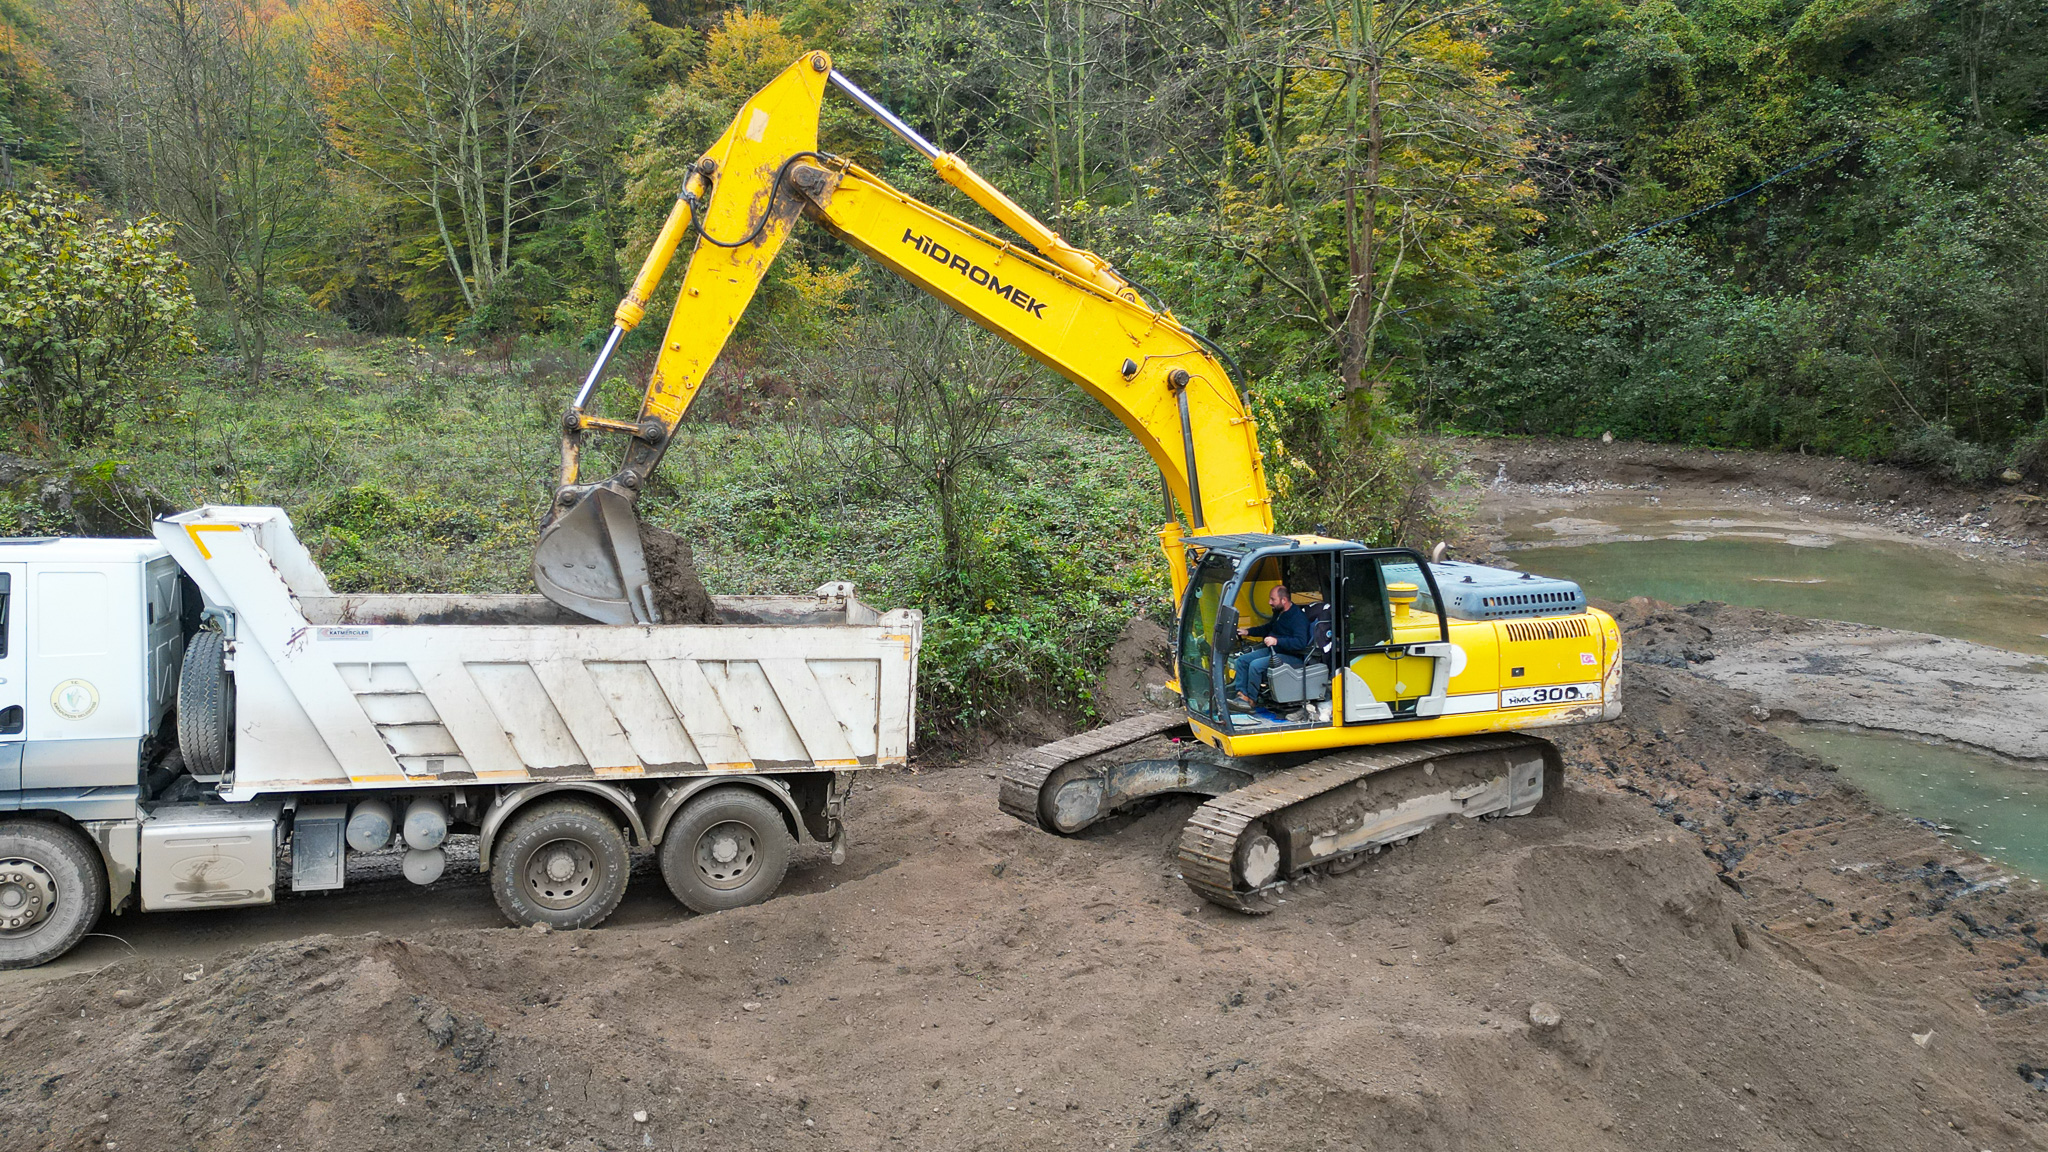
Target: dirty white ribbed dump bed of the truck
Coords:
[[392, 692]]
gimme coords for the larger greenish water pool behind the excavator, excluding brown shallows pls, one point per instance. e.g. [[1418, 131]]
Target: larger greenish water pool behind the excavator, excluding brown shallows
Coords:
[[1889, 585]]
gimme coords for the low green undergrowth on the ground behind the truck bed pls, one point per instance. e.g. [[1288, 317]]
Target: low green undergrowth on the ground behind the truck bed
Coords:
[[415, 466]]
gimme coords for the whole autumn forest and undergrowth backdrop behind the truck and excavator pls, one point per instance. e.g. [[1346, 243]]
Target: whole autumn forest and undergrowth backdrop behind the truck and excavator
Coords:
[[1809, 227]]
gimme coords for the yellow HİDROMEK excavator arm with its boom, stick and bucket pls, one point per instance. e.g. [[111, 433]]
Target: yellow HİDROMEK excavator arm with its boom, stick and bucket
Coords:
[[1064, 306]]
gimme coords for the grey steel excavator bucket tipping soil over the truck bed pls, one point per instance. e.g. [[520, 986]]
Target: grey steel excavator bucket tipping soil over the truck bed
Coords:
[[591, 561]]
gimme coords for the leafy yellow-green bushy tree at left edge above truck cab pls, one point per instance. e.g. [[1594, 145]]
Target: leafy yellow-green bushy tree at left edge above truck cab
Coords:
[[89, 308]]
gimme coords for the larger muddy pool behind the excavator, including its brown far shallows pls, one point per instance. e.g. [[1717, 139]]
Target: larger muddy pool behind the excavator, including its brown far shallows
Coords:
[[1787, 563]]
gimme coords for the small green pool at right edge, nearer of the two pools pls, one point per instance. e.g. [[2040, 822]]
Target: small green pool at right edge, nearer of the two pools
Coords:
[[1994, 807]]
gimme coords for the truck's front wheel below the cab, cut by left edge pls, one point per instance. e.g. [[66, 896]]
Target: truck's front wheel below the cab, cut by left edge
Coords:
[[52, 891]]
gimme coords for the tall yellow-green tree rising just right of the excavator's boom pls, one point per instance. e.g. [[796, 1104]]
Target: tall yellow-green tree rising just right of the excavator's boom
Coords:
[[1390, 159]]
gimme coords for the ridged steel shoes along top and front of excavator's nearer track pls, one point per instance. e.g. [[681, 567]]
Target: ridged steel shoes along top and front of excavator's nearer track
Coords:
[[1209, 841]]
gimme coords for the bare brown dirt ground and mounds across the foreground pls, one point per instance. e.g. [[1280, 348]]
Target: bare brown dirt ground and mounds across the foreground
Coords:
[[1713, 944]]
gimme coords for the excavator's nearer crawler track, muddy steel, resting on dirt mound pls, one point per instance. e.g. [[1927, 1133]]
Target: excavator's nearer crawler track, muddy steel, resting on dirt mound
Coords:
[[1246, 848]]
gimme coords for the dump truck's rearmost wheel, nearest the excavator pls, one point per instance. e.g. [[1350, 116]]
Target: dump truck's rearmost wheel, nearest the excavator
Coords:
[[726, 850]]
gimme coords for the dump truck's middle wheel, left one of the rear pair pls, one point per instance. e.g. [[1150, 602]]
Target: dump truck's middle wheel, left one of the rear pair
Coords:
[[560, 864]]
